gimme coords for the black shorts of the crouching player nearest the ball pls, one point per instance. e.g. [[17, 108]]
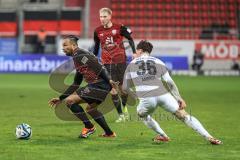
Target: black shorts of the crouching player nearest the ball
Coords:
[[94, 92]]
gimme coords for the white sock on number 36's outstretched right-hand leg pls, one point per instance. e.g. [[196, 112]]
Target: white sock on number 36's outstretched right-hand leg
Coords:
[[196, 125]]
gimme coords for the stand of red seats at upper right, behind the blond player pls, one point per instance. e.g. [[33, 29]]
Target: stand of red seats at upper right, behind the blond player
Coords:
[[179, 19]]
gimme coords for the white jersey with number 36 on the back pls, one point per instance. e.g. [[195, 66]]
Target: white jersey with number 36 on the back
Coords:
[[144, 75]]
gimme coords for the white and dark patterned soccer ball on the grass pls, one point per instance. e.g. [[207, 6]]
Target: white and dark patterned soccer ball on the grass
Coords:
[[23, 131]]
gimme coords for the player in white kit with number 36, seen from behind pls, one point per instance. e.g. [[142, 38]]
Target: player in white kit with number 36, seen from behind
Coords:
[[148, 79]]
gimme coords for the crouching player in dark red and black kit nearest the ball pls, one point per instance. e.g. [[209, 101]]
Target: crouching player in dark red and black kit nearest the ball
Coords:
[[94, 93]]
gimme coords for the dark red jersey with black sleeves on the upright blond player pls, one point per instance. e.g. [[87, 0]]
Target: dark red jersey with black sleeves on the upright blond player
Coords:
[[111, 41]]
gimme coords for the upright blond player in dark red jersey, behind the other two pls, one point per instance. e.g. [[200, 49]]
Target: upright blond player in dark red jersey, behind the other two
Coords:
[[110, 37]]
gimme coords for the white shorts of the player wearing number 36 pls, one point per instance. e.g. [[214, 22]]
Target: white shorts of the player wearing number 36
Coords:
[[147, 106]]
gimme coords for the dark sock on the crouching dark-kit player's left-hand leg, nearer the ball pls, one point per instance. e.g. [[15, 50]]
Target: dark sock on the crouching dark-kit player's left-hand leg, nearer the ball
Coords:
[[79, 112]]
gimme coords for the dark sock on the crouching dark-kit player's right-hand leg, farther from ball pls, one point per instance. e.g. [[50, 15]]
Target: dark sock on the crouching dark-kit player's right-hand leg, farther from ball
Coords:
[[99, 118]]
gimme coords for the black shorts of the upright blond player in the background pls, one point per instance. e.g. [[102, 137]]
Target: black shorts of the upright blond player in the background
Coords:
[[116, 71]]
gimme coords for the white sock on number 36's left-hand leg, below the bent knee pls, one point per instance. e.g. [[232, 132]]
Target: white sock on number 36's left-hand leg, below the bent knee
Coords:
[[152, 124]]
